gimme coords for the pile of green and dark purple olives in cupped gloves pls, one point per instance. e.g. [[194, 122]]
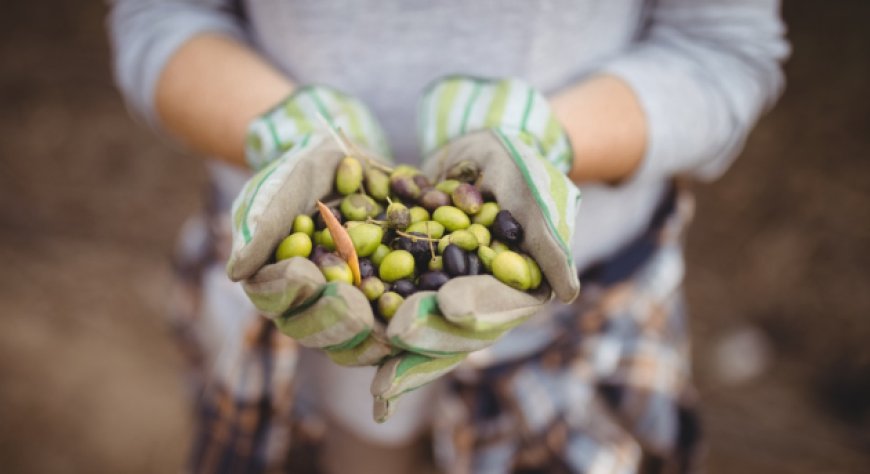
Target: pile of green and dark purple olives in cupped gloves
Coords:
[[410, 235]]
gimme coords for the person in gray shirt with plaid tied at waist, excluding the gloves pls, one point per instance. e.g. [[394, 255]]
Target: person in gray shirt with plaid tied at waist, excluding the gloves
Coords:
[[647, 93]]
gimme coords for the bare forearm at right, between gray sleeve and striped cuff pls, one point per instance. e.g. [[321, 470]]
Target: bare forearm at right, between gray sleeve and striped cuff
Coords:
[[606, 127]]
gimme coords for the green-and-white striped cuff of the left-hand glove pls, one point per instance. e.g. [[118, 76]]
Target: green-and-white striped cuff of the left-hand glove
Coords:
[[288, 124]]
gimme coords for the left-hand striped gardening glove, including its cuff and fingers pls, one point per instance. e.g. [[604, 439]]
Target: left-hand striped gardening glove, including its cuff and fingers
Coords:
[[295, 157]]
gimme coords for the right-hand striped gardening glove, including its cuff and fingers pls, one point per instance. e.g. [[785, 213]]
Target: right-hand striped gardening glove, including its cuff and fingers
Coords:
[[508, 130]]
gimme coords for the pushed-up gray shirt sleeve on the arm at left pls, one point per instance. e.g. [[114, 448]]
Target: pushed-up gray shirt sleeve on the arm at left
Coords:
[[144, 34]]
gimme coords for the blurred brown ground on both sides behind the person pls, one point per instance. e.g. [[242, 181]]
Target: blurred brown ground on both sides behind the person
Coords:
[[90, 204]]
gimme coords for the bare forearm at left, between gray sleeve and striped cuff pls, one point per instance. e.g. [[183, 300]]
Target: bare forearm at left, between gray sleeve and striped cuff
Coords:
[[211, 89]]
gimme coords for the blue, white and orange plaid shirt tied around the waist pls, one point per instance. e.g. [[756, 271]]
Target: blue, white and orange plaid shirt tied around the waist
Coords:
[[611, 393]]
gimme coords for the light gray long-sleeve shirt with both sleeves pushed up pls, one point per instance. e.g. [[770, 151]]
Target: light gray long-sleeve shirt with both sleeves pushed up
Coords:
[[703, 70]]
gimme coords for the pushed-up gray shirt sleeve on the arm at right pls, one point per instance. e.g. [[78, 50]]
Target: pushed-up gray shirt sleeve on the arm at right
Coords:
[[703, 71]]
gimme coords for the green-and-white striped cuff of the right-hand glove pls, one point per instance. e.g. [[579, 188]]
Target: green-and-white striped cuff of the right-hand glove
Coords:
[[456, 105]]
